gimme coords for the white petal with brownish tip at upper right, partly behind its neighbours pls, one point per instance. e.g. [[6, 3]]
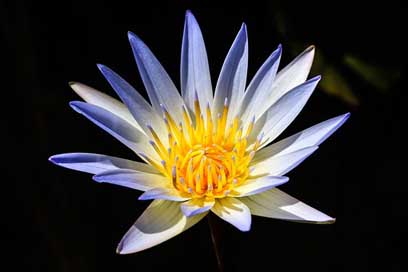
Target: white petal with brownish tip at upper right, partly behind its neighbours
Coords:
[[289, 77]]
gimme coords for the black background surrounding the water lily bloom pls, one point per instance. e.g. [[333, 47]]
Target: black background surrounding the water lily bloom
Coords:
[[59, 220]]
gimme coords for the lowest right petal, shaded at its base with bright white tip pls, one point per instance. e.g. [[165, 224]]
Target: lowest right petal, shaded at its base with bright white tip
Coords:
[[277, 204]]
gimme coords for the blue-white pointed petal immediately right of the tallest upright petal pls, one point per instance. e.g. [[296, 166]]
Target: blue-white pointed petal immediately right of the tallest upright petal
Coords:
[[232, 79]]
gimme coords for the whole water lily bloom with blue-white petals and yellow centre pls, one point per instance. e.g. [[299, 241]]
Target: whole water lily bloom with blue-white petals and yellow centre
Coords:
[[204, 151]]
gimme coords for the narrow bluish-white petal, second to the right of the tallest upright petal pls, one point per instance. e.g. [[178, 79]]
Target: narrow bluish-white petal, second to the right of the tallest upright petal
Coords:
[[260, 87]]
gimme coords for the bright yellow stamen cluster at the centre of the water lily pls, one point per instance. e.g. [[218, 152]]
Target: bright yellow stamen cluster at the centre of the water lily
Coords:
[[204, 157]]
